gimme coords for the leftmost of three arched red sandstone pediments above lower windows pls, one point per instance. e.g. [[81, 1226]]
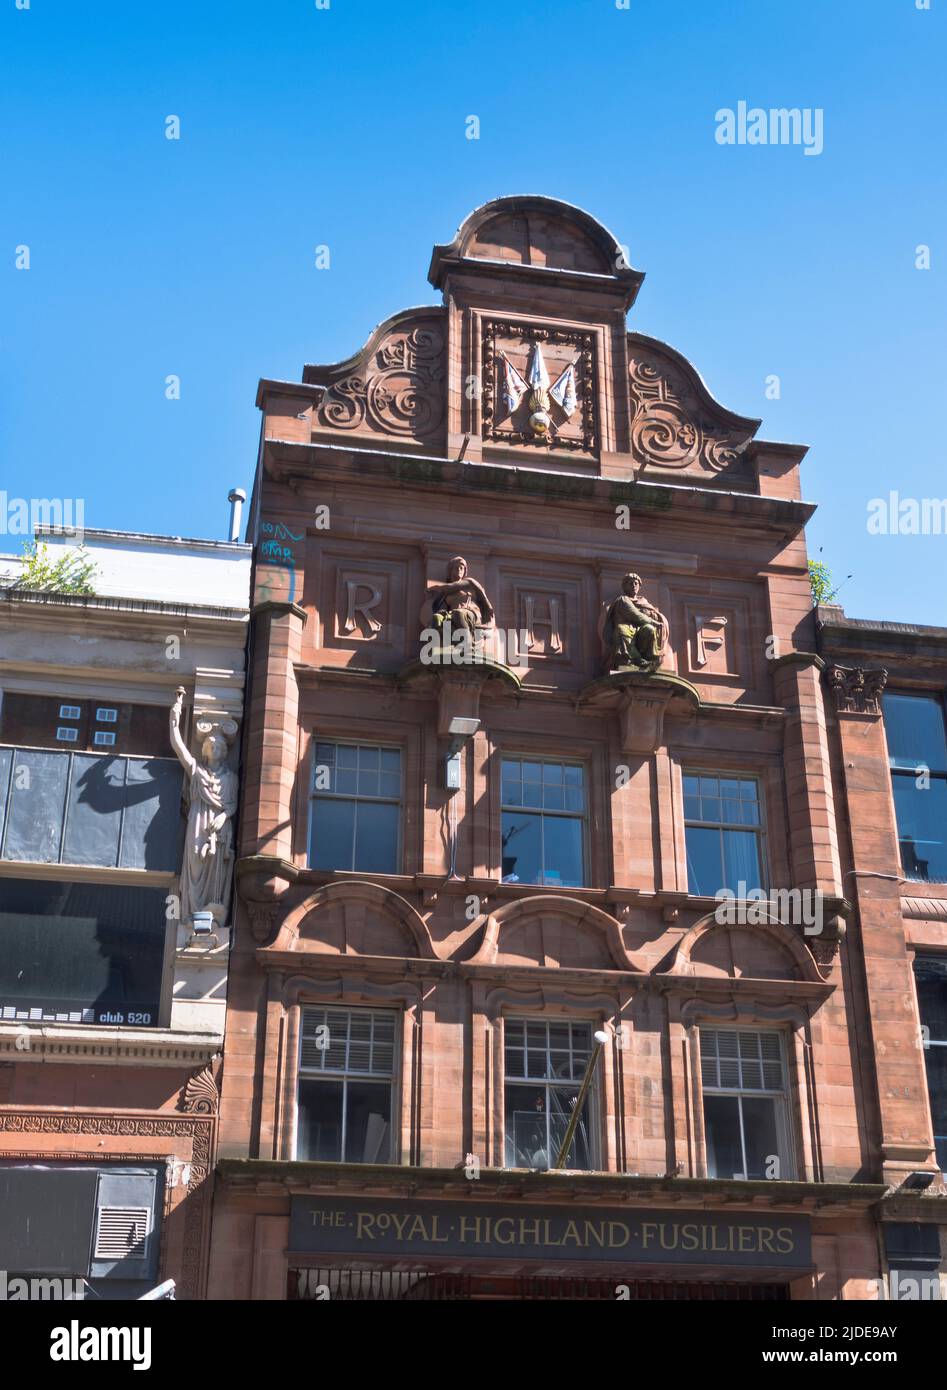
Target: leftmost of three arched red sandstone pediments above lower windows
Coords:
[[354, 919]]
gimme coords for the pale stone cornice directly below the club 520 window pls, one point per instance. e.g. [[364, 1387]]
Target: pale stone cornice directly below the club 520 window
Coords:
[[92, 1043]]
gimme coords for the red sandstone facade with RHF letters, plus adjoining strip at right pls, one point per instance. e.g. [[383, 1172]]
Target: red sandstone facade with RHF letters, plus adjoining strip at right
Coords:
[[469, 886]]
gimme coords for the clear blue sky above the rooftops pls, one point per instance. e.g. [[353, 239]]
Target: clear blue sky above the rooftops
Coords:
[[346, 127]]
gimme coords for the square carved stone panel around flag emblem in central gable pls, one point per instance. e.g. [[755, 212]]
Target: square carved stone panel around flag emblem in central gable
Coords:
[[572, 420]]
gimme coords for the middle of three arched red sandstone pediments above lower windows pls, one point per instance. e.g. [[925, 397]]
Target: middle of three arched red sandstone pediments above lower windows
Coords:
[[554, 932]]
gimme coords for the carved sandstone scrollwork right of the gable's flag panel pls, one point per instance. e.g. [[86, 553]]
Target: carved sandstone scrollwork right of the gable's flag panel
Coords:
[[670, 426]]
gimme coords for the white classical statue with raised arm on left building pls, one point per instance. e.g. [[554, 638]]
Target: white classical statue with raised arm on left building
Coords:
[[212, 801]]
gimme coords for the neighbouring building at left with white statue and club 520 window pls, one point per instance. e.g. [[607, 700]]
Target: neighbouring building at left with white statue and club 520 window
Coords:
[[112, 1000]]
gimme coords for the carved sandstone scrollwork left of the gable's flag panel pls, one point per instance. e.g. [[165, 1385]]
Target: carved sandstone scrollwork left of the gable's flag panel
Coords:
[[400, 393]]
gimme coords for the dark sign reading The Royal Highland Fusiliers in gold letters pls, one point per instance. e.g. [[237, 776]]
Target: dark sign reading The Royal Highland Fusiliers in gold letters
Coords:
[[376, 1227]]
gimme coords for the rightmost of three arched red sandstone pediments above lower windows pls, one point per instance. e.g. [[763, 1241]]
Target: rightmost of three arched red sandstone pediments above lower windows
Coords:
[[766, 951]]
